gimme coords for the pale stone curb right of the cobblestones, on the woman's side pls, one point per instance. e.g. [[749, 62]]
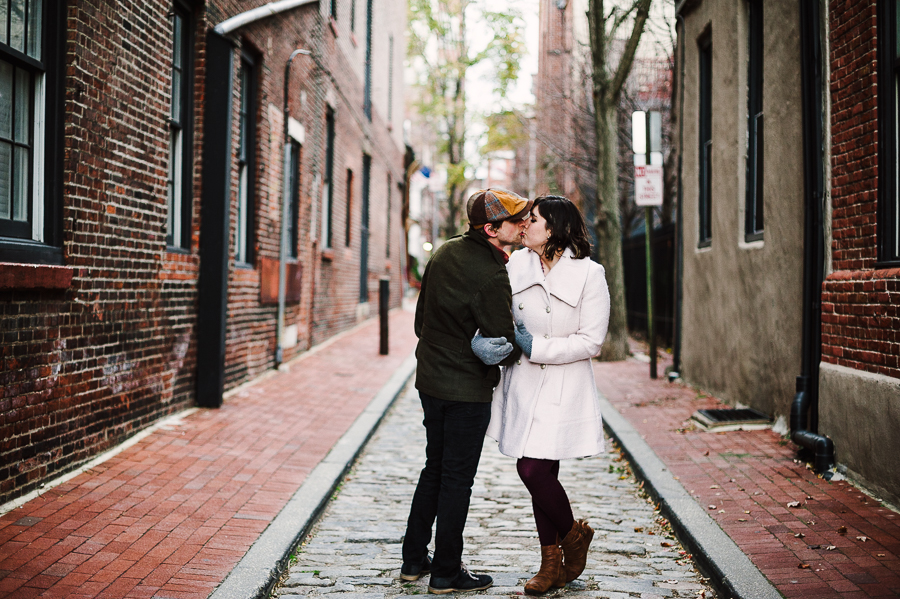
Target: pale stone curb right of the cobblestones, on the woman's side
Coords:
[[730, 571]]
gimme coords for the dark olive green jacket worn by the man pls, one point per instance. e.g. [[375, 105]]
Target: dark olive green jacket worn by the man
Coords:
[[465, 288]]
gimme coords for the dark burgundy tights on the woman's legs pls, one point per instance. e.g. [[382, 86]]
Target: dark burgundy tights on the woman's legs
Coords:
[[552, 512]]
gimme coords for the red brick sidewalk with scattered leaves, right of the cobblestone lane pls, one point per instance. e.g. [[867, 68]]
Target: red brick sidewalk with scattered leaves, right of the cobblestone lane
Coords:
[[837, 542]]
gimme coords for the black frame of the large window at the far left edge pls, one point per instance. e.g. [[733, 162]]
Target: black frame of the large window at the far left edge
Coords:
[[17, 243]]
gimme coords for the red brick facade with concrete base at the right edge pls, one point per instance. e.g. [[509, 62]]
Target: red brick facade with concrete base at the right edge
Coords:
[[860, 371]]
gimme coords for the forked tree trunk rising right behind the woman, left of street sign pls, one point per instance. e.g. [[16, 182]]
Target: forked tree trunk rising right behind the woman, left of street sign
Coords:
[[608, 79]]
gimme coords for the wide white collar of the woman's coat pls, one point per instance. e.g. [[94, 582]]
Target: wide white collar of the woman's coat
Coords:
[[565, 280]]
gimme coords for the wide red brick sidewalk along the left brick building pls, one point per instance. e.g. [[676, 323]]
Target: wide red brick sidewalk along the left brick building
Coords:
[[173, 514]]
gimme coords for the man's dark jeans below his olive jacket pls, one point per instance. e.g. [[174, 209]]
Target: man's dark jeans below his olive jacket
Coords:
[[455, 434]]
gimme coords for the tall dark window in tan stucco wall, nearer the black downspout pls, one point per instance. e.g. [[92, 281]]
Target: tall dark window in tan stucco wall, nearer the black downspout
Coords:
[[754, 204]]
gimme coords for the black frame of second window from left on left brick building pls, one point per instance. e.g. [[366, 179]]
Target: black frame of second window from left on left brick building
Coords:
[[185, 125]]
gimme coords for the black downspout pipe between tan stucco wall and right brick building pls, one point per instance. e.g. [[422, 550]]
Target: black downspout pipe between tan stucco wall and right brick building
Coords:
[[804, 410]]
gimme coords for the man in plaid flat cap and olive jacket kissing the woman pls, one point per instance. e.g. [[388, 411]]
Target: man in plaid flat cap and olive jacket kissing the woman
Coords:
[[465, 289]]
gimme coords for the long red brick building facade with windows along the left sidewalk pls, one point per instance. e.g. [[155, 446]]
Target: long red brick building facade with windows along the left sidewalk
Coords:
[[141, 184]]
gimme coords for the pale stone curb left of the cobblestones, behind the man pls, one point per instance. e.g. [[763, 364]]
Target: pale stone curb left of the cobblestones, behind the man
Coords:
[[259, 569]]
